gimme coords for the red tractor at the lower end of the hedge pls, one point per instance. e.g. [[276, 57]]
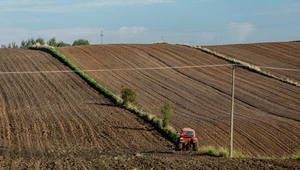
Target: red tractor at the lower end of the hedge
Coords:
[[187, 140]]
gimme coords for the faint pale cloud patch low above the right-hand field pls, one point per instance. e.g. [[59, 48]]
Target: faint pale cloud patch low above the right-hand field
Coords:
[[241, 30]]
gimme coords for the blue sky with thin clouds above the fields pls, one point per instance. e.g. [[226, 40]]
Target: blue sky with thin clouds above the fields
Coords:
[[195, 22]]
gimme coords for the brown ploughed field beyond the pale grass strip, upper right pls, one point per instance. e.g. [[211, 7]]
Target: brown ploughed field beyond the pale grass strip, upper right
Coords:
[[280, 55]]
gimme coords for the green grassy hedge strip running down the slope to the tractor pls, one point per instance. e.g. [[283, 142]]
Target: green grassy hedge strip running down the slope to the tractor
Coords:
[[168, 132]]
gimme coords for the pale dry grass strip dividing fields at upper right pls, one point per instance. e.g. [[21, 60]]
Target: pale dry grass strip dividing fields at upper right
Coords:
[[243, 64]]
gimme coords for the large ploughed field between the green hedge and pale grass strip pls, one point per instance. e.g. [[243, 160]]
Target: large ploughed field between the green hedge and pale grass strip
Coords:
[[267, 111]]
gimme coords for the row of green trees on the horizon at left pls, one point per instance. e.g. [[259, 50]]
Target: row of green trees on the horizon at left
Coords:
[[52, 42]]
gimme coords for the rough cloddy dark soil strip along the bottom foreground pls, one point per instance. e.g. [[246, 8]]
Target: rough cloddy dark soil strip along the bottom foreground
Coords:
[[159, 160]]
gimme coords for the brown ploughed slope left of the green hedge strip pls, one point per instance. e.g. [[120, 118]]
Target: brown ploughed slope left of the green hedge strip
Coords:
[[52, 114]]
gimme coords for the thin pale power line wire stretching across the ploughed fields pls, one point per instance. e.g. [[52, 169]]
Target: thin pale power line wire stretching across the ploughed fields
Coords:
[[143, 68]]
